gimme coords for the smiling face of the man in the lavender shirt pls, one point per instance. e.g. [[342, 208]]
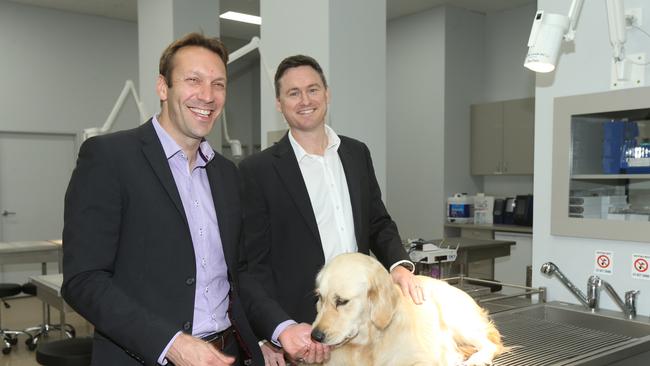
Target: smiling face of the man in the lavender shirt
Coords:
[[197, 95]]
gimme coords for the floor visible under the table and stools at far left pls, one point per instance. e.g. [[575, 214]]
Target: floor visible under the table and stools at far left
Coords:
[[27, 312]]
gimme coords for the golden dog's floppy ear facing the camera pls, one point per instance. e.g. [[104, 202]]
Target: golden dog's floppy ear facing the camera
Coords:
[[383, 298]]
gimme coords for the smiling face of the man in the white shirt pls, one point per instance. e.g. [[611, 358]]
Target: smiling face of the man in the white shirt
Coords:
[[303, 98]]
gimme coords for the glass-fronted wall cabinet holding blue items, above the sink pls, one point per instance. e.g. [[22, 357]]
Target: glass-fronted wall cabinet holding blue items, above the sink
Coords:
[[601, 165]]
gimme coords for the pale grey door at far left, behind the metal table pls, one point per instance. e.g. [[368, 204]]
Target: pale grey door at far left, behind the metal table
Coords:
[[34, 172]]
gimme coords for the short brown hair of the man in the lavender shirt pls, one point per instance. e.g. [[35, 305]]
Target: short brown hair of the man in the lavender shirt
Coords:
[[213, 44]]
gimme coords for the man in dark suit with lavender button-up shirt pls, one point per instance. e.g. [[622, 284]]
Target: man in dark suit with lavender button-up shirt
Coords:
[[152, 228]]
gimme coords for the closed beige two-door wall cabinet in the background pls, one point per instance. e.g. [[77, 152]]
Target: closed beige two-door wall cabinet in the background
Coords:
[[502, 137]]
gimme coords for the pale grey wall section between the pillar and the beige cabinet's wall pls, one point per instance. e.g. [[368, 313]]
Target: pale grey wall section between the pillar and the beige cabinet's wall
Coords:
[[415, 72]]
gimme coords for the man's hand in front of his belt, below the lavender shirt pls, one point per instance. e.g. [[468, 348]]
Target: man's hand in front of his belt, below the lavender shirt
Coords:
[[189, 351]]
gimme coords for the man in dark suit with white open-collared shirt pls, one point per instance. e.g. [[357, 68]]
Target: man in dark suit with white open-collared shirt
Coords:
[[308, 198]]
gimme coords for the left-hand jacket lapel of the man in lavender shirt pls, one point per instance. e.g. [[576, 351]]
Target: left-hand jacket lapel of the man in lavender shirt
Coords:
[[155, 154]]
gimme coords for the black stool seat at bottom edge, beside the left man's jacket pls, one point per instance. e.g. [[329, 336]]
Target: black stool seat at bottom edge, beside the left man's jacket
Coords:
[[66, 352]]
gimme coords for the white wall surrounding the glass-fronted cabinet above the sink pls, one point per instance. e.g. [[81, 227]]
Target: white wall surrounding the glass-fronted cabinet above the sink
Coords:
[[582, 69]]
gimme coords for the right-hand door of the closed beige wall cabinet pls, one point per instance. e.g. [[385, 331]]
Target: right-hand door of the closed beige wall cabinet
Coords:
[[518, 136]]
